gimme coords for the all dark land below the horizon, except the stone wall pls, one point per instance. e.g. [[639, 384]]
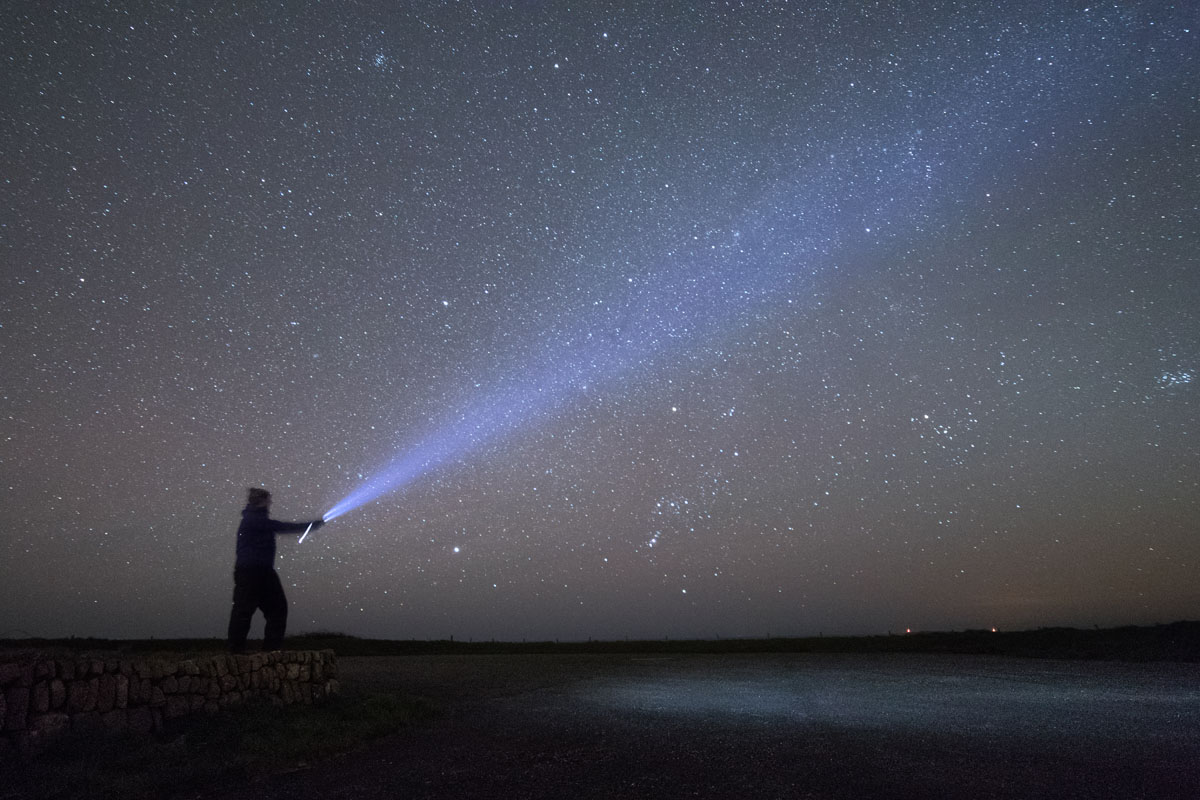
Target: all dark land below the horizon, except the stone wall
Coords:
[[1054, 713]]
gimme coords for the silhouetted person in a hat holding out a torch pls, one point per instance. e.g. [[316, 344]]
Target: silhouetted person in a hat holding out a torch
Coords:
[[256, 585]]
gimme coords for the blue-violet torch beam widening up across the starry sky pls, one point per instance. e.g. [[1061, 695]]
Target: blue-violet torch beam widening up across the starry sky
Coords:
[[851, 193]]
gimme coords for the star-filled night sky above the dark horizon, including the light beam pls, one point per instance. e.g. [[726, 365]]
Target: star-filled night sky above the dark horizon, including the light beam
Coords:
[[602, 320]]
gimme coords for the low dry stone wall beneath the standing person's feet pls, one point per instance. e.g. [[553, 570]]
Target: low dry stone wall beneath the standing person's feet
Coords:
[[41, 699]]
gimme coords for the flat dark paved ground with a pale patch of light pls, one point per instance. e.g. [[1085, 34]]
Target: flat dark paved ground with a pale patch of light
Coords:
[[769, 726]]
